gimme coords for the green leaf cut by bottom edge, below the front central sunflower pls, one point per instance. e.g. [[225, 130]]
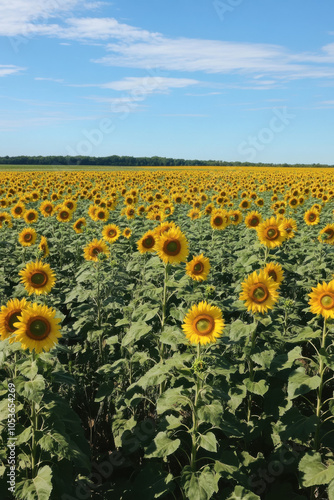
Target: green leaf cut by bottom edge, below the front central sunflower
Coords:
[[199, 486]]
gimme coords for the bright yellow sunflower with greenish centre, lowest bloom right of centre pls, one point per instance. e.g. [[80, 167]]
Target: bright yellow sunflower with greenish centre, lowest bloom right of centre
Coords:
[[203, 323]]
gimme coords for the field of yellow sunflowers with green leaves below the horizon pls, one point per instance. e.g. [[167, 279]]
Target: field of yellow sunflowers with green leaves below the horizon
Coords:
[[167, 334]]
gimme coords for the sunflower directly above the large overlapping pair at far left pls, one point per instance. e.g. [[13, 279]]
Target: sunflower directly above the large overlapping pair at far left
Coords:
[[37, 278]]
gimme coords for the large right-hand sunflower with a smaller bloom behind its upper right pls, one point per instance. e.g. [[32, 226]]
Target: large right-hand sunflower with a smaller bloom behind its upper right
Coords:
[[259, 291]]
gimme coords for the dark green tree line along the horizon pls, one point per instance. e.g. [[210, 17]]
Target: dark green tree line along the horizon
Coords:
[[132, 161]]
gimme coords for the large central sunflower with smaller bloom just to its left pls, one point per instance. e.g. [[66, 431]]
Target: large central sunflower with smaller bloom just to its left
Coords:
[[172, 246]]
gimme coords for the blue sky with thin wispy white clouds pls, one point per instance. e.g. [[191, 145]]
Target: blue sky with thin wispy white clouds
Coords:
[[231, 80]]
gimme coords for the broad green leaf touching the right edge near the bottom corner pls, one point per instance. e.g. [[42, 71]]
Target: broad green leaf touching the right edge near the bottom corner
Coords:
[[314, 472]]
